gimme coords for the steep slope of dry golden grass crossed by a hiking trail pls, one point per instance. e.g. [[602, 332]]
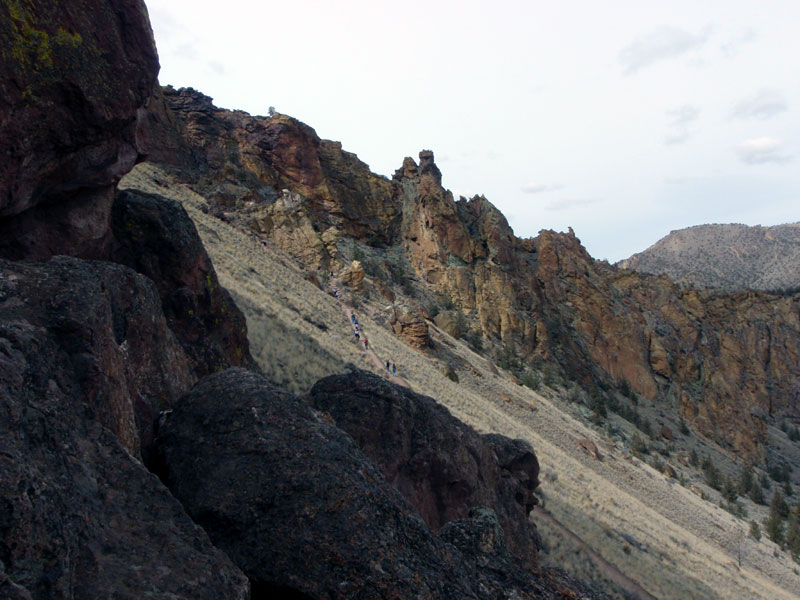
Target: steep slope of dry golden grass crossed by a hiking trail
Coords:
[[660, 534]]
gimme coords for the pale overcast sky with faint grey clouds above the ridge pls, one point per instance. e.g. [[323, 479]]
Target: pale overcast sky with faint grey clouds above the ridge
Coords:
[[622, 119]]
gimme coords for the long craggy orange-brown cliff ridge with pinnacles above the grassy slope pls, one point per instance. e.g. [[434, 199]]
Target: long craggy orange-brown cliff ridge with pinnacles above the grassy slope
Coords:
[[727, 362]]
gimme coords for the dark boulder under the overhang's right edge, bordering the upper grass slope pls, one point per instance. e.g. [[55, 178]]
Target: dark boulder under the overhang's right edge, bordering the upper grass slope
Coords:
[[156, 237]]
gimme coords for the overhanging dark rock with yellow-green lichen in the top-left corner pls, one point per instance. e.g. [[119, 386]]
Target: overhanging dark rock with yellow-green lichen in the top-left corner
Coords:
[[72, 81]]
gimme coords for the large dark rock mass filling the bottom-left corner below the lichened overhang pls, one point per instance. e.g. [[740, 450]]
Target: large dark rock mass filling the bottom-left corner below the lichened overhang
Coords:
[[86, 360]]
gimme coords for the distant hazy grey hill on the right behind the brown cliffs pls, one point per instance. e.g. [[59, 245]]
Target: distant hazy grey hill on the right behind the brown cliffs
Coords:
[[726, 256]]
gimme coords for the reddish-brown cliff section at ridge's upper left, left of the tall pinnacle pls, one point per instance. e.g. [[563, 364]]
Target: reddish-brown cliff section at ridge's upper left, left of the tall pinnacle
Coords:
[[246, 162]]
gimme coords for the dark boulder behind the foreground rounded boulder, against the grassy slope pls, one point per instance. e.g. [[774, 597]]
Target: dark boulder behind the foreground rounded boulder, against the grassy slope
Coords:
[[442, 466]]
